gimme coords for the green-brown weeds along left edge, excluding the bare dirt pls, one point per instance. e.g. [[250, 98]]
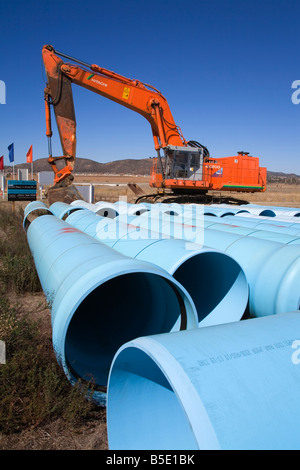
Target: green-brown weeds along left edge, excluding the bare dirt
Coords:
[[33, 388]]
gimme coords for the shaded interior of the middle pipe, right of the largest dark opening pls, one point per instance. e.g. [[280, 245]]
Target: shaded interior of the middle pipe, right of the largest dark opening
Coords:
[[208, 278]]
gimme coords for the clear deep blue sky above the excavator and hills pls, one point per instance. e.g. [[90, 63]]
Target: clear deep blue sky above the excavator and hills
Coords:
[[226, 68]]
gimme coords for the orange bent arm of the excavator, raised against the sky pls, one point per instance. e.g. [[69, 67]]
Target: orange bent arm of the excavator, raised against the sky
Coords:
[[133, 94]]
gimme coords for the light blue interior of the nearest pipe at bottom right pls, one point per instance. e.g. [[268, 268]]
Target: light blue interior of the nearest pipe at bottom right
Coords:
[[143, 410]]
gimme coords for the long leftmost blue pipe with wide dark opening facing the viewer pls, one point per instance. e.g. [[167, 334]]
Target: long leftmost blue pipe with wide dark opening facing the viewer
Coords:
[[100, 299]]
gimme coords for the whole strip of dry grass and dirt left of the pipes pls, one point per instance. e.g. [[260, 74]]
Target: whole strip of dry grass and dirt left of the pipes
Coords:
[[39, 409]]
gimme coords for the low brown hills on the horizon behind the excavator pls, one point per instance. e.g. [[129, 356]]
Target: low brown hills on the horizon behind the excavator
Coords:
[[140, 166]]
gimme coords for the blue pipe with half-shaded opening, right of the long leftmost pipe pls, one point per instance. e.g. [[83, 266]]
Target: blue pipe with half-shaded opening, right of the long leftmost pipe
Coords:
[[215, 281]]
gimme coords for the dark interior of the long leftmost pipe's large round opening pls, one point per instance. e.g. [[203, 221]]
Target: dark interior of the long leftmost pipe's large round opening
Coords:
[[114, 313]]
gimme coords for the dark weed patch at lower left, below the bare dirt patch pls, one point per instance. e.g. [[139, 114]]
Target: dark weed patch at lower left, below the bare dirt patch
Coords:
[[33, 388]]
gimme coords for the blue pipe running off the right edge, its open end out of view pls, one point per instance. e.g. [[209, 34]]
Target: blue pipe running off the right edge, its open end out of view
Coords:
[[272, 268]]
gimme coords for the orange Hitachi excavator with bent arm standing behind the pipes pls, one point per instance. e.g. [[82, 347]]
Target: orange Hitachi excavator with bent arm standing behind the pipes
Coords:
[[181, 167]]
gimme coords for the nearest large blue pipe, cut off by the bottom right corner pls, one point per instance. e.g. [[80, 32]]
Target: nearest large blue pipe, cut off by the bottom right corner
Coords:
[[226, 387]]
